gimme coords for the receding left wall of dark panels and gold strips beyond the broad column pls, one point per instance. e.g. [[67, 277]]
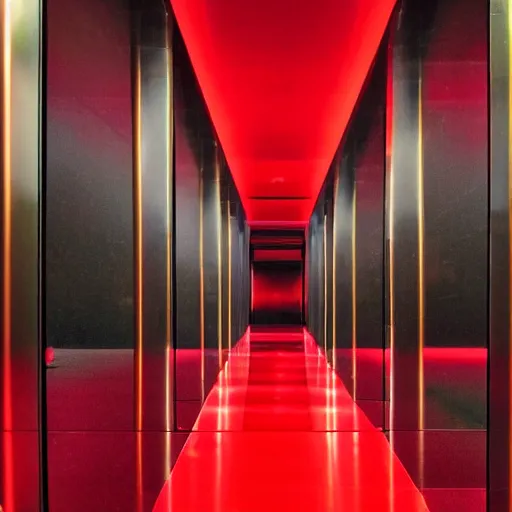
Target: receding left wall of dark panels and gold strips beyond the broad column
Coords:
[[205, 310]]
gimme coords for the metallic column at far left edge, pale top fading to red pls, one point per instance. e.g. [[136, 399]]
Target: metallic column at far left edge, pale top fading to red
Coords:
[[20, 346]]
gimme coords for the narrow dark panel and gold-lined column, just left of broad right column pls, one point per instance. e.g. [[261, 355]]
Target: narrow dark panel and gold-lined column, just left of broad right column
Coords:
[[358, 173]]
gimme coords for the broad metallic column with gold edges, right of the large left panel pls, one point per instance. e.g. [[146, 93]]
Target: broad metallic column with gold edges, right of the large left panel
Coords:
[[153, 186]]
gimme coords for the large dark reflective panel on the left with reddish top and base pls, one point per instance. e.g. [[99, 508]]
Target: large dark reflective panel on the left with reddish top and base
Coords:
[[89, 217]]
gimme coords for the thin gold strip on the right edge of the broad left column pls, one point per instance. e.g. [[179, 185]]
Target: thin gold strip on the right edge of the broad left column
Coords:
[[169, 255]]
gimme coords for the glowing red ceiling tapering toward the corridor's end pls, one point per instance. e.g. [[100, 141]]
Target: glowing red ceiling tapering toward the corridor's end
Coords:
[[280, 78]]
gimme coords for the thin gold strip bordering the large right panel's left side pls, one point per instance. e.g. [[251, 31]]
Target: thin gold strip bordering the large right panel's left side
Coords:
[[421, 255]]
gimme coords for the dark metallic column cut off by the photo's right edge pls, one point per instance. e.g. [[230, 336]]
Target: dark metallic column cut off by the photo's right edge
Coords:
[[500, 340]]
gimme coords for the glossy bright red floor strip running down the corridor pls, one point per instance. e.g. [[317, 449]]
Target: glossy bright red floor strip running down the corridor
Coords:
[[279, 432]]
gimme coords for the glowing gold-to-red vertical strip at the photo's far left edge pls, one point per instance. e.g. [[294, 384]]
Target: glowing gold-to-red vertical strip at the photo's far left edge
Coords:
[[8, 470]]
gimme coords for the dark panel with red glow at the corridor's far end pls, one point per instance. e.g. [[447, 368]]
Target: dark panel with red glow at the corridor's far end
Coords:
[[277, 292]]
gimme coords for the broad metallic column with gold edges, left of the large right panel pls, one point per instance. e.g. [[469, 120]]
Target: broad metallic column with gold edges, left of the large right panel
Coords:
[[406, 230]]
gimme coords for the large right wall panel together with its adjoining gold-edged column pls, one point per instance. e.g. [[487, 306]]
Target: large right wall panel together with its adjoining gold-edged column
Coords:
[[437, 213]]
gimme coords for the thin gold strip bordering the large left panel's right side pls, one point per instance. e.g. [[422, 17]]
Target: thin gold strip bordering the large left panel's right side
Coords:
[[137, 120]]
